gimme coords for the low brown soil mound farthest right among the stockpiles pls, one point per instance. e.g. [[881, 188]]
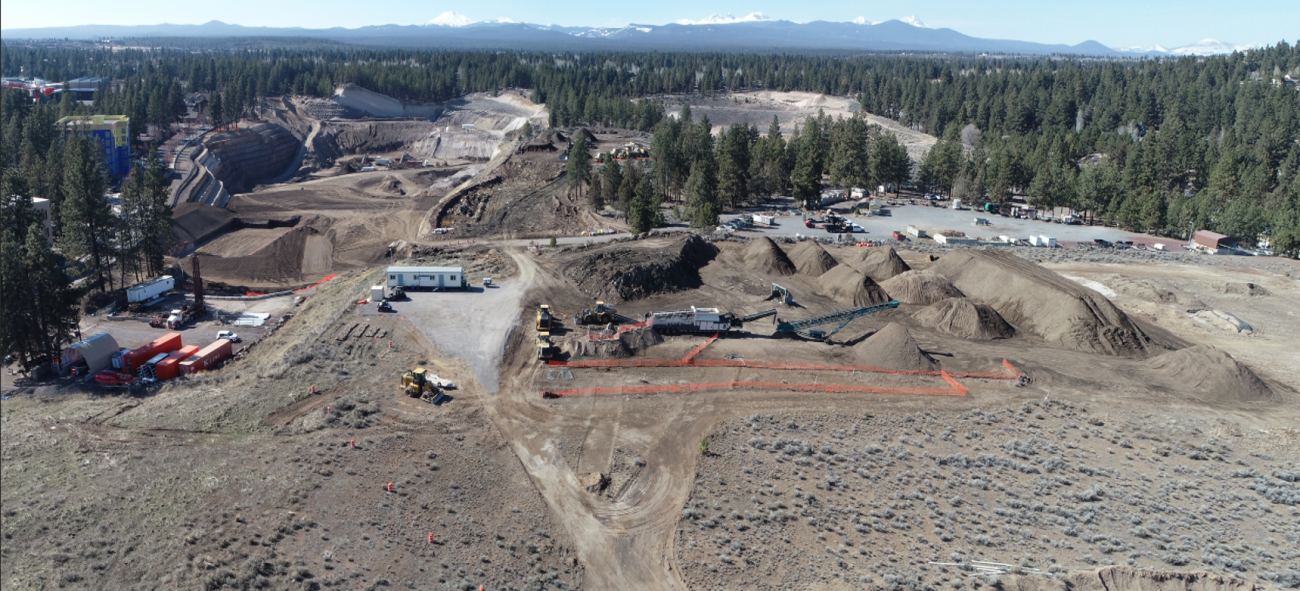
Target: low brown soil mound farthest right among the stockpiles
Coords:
[[1211, 372]]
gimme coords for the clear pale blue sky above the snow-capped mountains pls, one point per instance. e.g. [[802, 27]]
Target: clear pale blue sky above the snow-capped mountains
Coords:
[[1113, 23]]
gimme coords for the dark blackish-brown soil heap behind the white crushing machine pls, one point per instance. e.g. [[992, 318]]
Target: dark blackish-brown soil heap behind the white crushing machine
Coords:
[[626, 273]]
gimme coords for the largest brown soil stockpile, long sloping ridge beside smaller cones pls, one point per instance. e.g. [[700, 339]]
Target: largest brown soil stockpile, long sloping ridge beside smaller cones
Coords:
[[1041, 302]]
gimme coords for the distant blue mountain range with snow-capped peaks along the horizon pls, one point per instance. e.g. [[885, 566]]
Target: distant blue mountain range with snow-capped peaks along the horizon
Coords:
[[753, 32]]
